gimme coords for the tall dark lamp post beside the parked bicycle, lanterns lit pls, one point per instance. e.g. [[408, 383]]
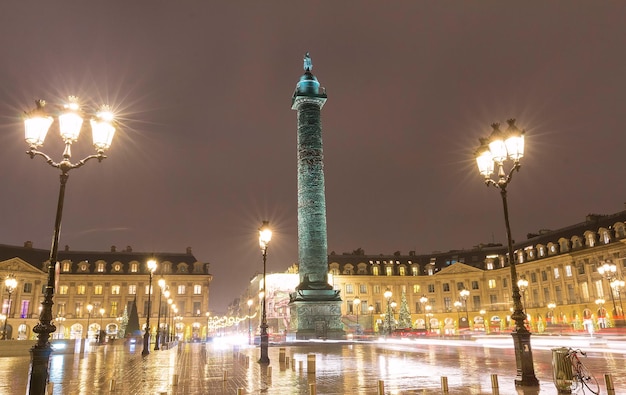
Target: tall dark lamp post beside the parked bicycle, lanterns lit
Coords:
[[494, 151]]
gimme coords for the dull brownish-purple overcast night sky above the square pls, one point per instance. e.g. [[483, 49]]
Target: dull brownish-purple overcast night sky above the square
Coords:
[[206, 148]]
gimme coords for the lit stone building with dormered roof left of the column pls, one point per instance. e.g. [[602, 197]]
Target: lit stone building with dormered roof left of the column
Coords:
[[111, 281]]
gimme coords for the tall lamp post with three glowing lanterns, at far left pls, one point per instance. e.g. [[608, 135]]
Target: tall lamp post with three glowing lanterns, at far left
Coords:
[[36, 124]]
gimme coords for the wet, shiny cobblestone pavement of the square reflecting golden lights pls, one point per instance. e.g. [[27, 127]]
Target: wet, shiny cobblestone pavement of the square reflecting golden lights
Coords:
[[340, 368]]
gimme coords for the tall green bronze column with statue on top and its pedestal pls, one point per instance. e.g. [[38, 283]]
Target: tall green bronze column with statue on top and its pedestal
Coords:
[[315, 306]]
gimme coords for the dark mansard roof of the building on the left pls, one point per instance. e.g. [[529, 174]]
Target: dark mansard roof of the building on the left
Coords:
[[37, 257]]
